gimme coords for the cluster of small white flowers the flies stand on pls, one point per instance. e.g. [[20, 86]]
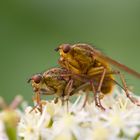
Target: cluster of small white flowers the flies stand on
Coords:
[[120, 120]]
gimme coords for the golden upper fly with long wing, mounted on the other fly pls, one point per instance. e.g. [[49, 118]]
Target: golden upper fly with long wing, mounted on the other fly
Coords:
[[89, 63]]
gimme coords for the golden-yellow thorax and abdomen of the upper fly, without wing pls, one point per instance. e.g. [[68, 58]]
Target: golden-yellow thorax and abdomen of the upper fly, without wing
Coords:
[[80, 60]]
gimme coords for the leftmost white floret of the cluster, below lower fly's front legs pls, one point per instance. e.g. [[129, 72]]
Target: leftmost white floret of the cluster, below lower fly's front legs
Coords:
[[32, 124]]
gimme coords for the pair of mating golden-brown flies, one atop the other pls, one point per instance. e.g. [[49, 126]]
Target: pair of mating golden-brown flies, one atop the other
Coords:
[[82, 68]]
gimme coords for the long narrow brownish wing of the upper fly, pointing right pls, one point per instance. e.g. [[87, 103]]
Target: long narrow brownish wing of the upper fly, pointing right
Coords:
[[113, 62]]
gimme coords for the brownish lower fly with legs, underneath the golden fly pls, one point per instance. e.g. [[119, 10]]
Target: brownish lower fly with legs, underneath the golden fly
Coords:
[[62, 83]]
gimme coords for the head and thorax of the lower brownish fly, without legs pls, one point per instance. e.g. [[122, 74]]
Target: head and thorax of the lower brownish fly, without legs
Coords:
[[55, 81]]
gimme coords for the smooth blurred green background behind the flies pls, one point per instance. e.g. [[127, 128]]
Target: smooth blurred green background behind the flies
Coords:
[[31, 29]]
